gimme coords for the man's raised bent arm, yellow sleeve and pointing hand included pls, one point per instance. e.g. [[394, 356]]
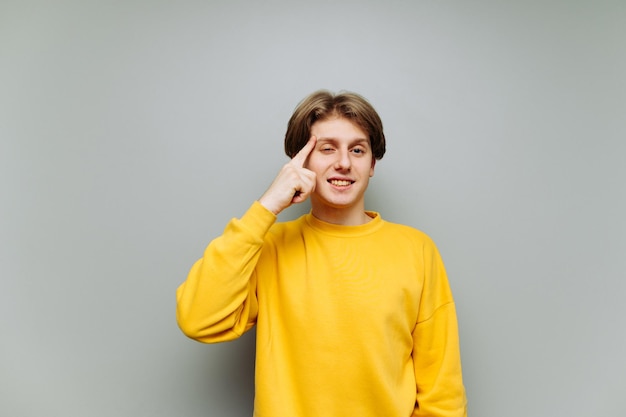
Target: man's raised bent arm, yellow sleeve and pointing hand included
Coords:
[[218, 301]]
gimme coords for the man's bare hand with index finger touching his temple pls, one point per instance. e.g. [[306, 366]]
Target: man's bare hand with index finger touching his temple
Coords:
[[293, 184]]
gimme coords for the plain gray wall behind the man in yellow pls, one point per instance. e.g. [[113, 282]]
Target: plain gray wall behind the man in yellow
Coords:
[[131, 132]]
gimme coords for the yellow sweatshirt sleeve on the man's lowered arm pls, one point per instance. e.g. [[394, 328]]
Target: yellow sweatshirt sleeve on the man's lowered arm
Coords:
[[436, 355]]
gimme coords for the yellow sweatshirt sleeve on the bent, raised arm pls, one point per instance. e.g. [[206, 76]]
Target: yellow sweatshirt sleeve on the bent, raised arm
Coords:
[[218, 301]]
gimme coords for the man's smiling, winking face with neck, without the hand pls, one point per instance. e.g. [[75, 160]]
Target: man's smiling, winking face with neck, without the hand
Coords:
[[343, 162]]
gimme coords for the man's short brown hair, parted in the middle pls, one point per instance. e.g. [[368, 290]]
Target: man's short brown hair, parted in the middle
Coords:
[[322, 105]]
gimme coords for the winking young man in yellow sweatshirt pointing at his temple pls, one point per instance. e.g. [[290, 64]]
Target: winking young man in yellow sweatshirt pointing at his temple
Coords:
[[354, 314]]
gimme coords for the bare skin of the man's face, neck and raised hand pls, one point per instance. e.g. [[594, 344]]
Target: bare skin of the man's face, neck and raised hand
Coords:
[[338, 150]]
